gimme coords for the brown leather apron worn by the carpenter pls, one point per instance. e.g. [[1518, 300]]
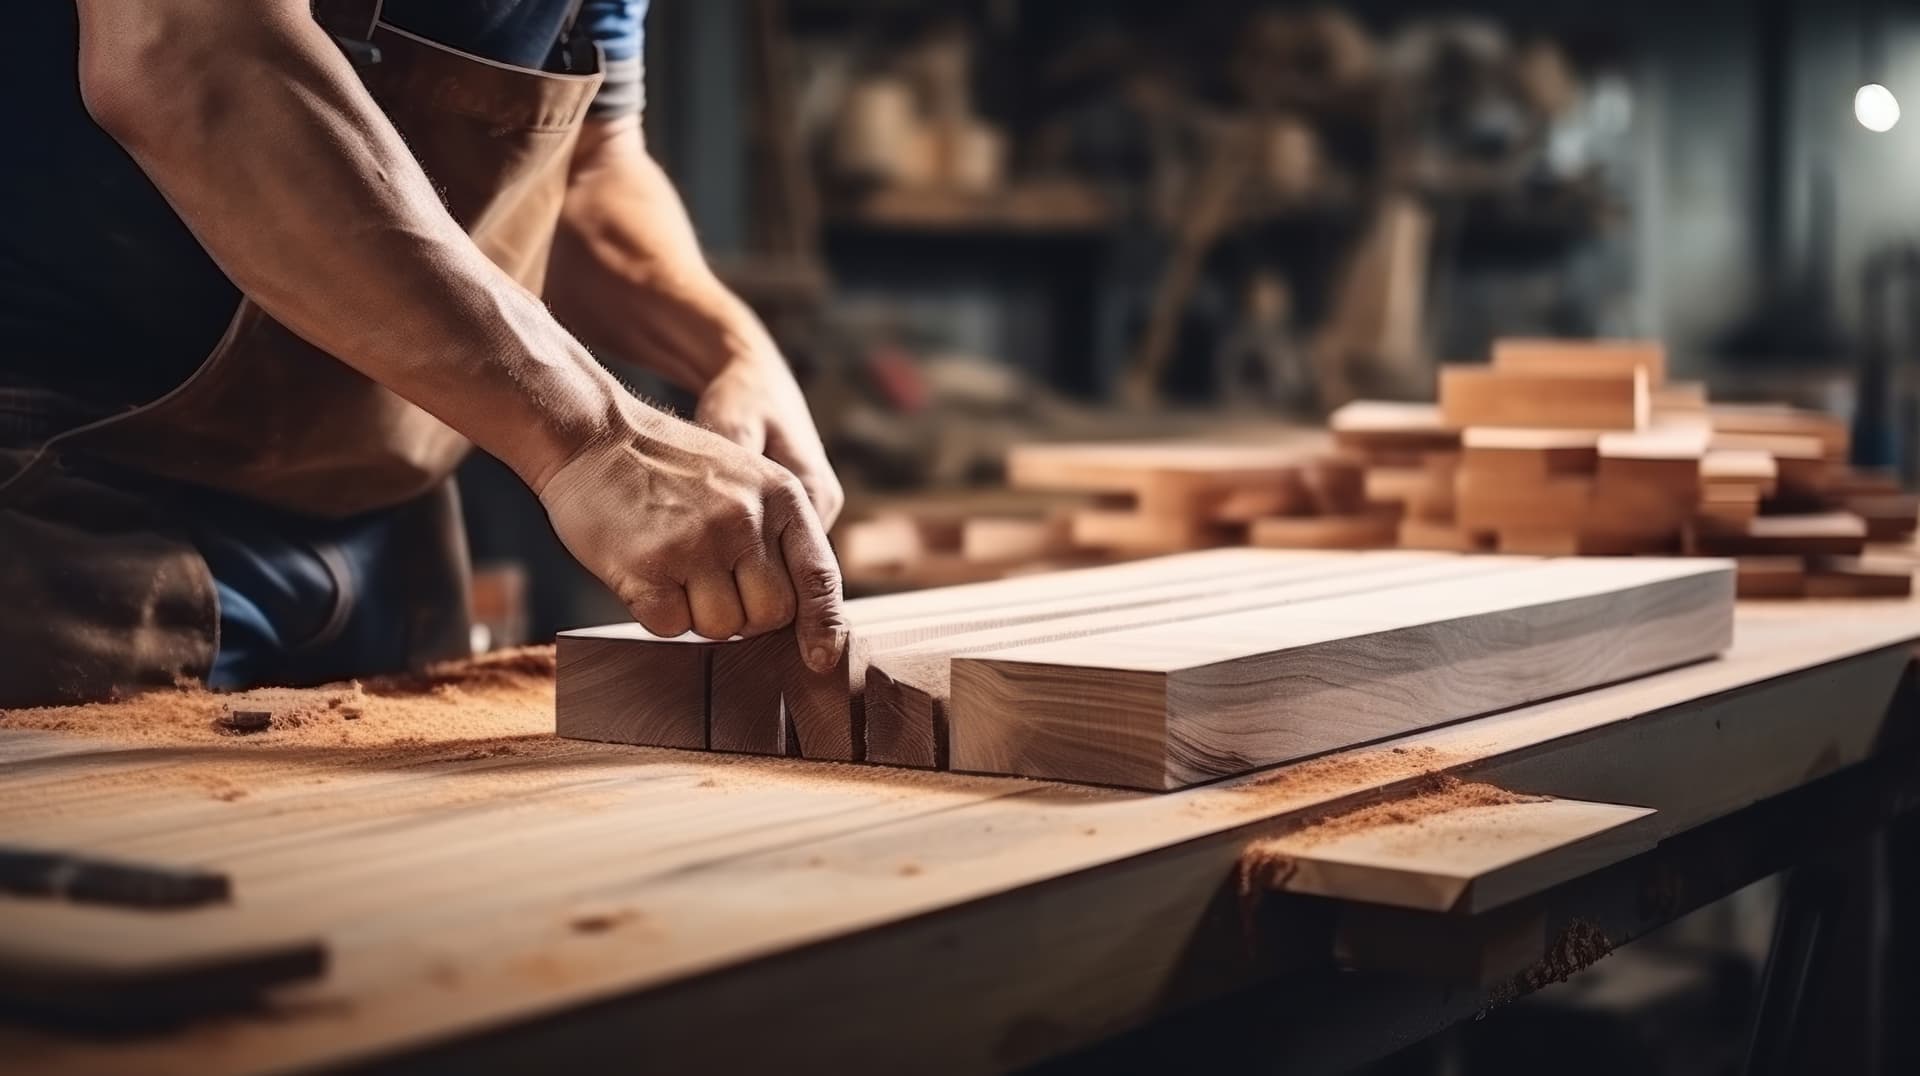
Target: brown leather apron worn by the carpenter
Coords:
[[103, 595]]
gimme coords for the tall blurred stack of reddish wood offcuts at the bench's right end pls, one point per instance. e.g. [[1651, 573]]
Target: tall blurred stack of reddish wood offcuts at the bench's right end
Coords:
[[1587, 449]]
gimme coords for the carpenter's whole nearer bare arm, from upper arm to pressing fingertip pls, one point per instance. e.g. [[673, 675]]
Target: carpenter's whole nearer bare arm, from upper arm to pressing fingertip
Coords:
[[260, 135]]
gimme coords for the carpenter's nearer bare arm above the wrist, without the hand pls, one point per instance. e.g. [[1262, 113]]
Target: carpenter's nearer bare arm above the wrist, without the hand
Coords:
[[260, 135]]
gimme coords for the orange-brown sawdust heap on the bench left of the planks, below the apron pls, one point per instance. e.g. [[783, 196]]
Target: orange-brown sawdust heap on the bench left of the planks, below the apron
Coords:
[[494, 697]]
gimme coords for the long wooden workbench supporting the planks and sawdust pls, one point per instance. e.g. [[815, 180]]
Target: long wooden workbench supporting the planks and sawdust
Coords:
[[537, 902]]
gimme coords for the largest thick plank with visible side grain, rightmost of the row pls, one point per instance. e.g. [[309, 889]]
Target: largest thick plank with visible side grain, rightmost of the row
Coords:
[[1163, 708]]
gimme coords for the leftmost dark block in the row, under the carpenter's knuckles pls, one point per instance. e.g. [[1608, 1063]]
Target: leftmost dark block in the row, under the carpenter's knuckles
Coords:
[[623, 685]]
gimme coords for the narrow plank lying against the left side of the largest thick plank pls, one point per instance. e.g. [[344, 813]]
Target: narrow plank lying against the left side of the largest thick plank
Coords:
[[909, 689]]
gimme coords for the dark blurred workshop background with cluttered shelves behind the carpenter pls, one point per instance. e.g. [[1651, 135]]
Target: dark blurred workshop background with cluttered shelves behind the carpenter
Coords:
[[984, 224]]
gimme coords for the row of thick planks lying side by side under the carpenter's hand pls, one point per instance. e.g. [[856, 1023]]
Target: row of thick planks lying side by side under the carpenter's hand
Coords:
[[1159, 673]]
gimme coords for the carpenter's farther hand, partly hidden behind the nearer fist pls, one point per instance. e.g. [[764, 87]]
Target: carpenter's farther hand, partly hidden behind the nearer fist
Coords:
[[757, 404]]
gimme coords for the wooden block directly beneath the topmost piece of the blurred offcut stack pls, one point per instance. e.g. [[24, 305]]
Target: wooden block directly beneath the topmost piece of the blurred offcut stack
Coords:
[[1483, 397]]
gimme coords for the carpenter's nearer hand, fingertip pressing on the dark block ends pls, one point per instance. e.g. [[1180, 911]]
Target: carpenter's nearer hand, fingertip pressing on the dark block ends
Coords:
[[696, 533]]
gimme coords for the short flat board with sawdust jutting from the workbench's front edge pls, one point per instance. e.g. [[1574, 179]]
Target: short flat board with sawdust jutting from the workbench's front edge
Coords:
[[1452, 860]]
